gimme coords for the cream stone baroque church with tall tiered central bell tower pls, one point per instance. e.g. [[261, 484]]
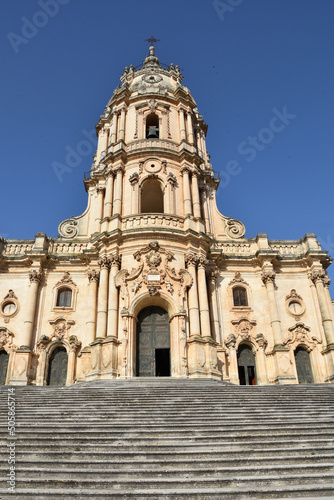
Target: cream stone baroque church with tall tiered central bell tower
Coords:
[[152, 280]]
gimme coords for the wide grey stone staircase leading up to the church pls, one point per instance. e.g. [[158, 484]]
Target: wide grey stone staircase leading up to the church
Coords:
[[170, 439]]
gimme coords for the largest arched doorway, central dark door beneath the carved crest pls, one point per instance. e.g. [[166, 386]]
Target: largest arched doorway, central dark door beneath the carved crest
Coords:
[[153, 343]]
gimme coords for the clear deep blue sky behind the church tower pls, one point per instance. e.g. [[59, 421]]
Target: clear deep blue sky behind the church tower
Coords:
[[245, 62]]
